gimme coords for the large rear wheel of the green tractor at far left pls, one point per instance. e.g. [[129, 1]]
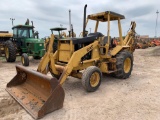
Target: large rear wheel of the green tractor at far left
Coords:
[[10, 51]]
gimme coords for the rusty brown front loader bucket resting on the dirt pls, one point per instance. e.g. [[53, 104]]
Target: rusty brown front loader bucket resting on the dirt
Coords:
[[36, 92]]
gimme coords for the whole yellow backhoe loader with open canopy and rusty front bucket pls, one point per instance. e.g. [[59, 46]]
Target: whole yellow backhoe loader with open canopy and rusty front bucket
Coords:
[[85, 58]]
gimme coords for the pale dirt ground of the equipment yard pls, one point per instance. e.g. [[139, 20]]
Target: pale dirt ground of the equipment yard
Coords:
[[135, 98]]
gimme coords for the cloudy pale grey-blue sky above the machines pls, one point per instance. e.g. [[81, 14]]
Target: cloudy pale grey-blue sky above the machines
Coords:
[[48, 14]]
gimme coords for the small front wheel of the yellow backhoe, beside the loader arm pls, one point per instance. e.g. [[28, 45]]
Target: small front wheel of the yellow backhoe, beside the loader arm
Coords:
[[91, 78]]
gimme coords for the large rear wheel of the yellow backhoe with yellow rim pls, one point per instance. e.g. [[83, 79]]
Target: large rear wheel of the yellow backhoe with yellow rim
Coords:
[[124, 64]]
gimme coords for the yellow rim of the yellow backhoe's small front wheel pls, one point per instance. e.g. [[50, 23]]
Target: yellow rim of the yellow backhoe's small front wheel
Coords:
[[94, 79]]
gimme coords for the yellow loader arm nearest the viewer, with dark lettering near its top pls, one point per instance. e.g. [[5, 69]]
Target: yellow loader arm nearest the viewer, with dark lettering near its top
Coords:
[[75, 60]]
